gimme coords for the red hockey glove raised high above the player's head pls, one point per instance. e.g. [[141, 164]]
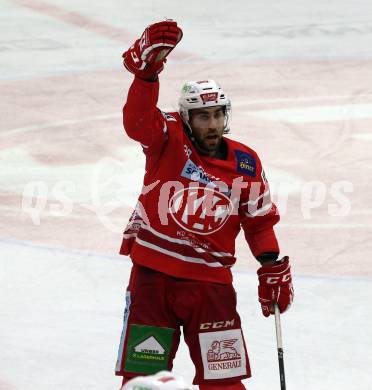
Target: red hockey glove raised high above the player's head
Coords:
[[146, 57]]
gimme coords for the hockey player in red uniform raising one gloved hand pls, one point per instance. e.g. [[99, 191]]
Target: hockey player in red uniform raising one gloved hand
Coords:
[[199, 189]]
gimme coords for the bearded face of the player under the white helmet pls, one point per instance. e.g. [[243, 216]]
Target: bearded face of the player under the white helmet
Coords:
[[207, 126]]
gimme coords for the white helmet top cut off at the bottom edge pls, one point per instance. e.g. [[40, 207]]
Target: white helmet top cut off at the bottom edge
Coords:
[[163, 380]]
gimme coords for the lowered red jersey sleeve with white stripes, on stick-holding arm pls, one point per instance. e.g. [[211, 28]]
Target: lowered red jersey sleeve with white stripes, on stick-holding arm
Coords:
[[258, 215]]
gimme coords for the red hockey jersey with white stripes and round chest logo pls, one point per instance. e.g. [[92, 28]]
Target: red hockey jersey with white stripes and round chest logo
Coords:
[[192, 207]]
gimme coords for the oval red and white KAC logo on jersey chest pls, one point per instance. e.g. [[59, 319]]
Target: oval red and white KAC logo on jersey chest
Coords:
[[200, 210]]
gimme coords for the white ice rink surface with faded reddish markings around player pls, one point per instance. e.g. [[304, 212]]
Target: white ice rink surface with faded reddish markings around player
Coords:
[[299, 75]]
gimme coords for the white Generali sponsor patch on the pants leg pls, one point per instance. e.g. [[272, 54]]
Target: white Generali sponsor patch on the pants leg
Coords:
[[223, 354]]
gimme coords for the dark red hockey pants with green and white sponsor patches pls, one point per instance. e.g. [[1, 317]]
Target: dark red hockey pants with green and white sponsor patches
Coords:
[[157, 305]]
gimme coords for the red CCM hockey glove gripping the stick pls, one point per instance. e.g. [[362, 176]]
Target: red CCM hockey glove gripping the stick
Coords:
[[275, 286]]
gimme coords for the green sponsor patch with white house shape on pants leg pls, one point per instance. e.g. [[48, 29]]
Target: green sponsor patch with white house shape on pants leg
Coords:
[[148, 349]]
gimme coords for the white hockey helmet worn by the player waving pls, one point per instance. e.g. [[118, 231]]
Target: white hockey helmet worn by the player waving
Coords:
[[201, 94]]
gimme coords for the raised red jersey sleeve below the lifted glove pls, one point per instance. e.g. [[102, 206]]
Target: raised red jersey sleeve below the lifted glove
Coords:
[[142, 120]]
